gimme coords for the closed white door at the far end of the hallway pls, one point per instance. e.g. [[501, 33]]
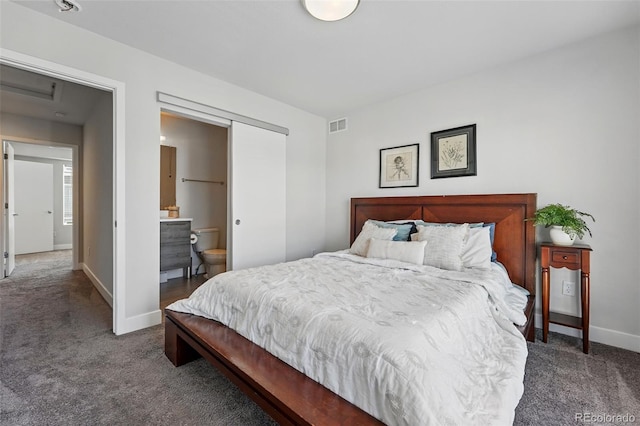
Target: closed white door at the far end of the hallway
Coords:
[[33, 185]]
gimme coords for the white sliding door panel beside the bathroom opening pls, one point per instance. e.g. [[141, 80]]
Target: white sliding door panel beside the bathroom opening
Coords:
[[257, 197]]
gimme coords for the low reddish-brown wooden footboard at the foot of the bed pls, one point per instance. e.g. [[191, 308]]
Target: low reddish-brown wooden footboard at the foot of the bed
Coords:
[[287, 395]]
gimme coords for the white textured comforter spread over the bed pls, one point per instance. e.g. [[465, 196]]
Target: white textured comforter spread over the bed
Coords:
[[409, 344]]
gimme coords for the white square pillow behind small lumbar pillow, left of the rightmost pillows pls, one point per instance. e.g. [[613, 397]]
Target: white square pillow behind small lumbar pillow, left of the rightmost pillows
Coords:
[[444, 245]]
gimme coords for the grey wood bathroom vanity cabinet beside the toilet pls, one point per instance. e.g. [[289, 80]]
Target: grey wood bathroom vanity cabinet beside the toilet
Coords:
[[175, 245]]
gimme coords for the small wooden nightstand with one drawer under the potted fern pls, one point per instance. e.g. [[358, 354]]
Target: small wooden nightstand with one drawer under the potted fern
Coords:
[[575, 257]]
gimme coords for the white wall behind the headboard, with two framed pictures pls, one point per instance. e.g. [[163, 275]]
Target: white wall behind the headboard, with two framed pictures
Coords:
[[563, 124]]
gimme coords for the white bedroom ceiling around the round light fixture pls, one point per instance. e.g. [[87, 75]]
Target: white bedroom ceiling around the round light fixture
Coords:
[[385, 49]]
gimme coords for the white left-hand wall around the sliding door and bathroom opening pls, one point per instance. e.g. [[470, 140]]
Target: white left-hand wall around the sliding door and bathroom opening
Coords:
[[33, 34]]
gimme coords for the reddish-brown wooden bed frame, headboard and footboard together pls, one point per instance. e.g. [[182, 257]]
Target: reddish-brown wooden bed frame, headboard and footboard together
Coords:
[[292, 398]]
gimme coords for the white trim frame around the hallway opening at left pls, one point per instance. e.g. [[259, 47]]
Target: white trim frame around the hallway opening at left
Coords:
[[117, 89]]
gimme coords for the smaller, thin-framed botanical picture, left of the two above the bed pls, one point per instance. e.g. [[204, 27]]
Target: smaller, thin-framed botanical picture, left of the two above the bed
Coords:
[[399, 166]]
